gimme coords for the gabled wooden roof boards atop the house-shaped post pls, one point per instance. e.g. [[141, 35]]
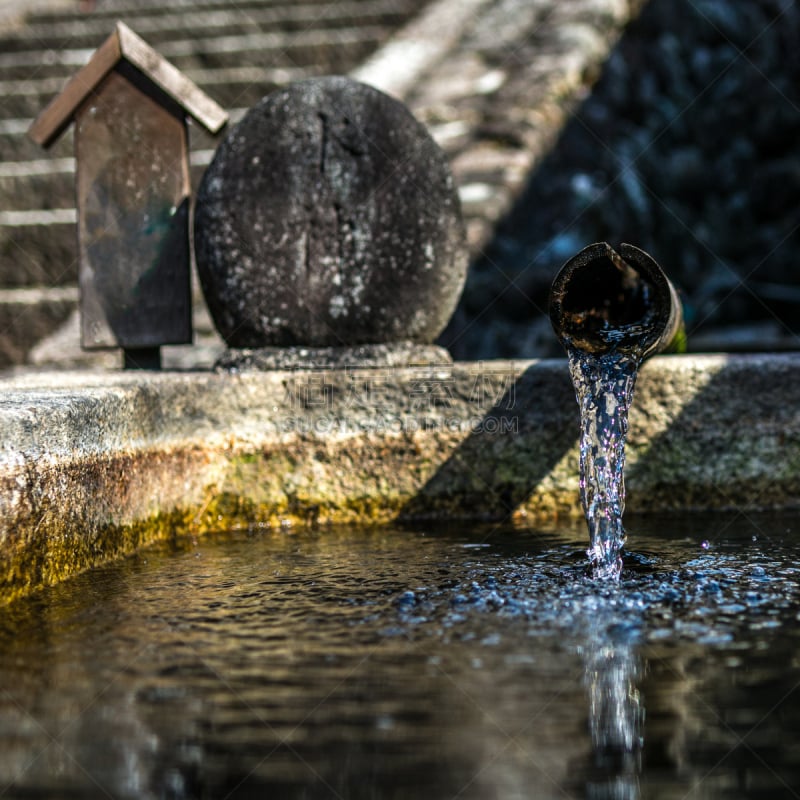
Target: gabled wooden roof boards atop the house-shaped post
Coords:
[[125, 45]]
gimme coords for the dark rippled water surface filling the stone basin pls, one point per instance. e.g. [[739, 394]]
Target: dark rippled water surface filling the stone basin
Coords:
[[399, 663]]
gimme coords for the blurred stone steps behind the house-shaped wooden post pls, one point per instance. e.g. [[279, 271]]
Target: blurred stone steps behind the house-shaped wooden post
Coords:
[[236, 53]]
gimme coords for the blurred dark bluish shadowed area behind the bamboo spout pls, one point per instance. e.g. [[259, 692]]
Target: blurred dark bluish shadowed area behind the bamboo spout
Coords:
[[686, 146]]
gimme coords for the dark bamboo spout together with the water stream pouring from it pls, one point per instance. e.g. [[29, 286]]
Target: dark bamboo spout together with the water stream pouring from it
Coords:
[[611, 309]]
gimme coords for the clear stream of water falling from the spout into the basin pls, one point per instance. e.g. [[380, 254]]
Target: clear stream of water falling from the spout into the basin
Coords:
[[604, 385]]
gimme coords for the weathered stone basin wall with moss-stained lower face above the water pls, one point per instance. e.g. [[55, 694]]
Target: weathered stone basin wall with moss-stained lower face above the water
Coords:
[[96, 464]]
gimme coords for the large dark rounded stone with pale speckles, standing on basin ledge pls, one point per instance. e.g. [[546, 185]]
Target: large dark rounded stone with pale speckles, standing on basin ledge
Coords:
[[329, 217]]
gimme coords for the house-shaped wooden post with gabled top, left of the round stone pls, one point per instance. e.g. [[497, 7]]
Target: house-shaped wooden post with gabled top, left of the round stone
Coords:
[[129, 107]]
